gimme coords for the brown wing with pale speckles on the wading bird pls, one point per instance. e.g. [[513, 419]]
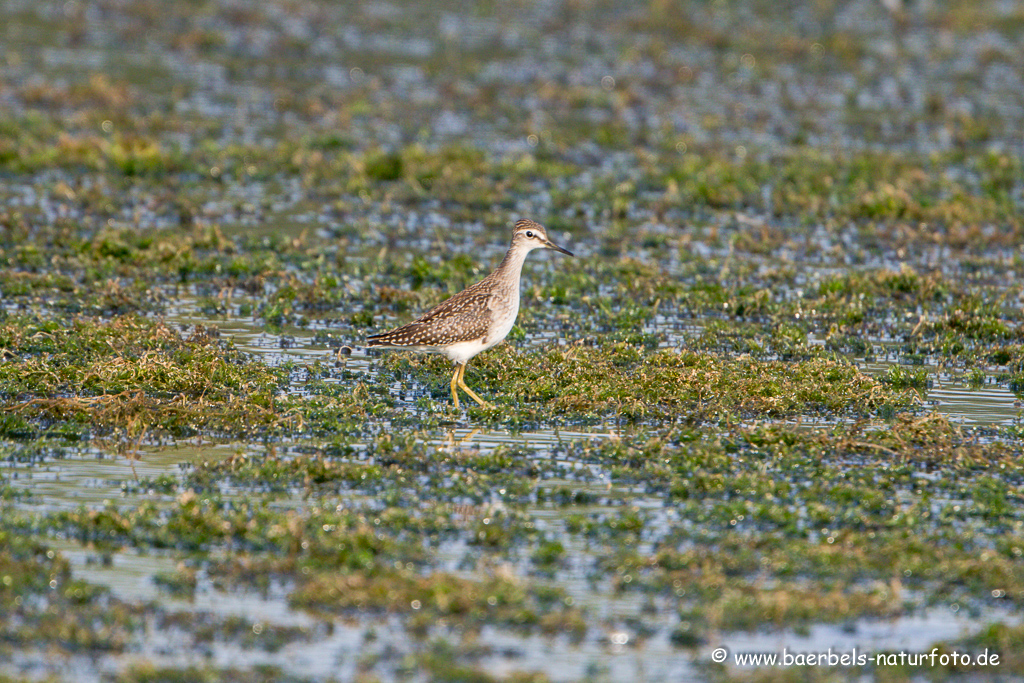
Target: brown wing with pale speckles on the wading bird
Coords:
[[465, 317]]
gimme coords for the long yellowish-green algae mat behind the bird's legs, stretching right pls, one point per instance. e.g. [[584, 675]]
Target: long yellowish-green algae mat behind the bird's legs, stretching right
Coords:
[[623, 380]]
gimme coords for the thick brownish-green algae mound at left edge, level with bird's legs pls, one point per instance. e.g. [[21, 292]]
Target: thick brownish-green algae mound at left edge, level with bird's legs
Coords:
[[131, 374]]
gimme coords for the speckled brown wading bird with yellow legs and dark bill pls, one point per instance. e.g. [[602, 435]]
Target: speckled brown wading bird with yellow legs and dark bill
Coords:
[[476, 319]]
